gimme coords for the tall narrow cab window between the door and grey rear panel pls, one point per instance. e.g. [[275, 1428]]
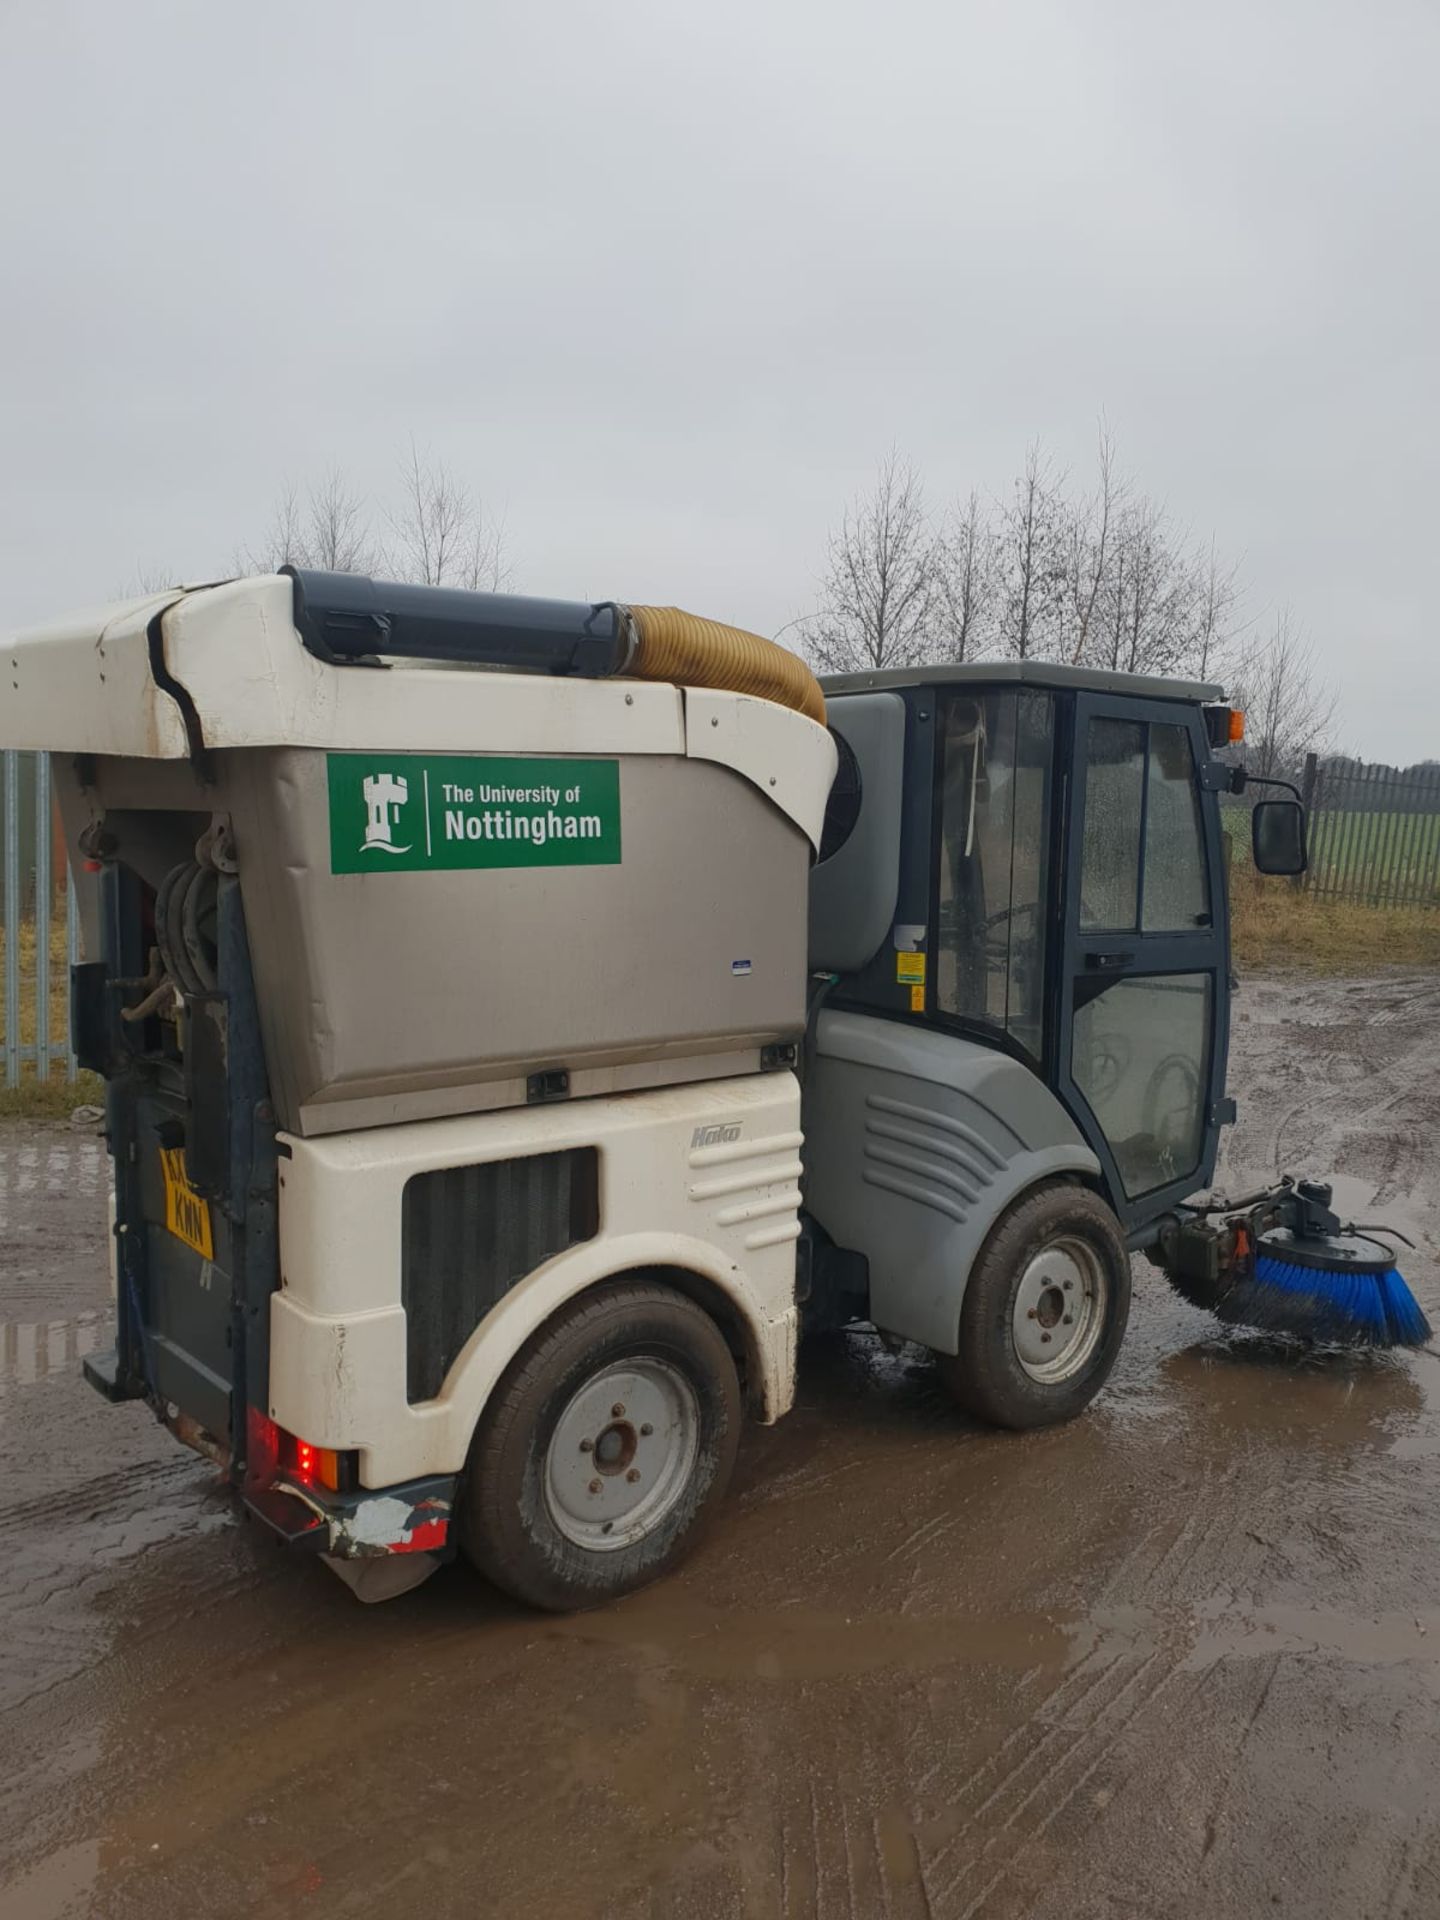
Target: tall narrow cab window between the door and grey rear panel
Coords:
[[996, 861]]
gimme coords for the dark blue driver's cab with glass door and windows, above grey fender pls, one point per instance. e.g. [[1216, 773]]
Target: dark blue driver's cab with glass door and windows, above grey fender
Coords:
[[1059, 894]]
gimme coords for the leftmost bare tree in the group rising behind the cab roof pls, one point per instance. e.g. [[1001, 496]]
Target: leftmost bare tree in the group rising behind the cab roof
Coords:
[[880, 590]]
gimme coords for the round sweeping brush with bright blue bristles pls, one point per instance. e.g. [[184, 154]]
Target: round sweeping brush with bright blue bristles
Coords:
[[1337, 1289]]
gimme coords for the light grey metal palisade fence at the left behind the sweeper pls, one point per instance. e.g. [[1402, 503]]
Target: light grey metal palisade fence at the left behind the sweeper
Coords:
[[32, 921]]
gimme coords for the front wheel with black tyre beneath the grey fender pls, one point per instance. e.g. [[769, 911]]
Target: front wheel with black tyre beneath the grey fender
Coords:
[[1057, 1237]]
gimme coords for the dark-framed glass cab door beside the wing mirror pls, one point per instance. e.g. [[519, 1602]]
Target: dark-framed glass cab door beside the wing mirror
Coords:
[[1145, 959]]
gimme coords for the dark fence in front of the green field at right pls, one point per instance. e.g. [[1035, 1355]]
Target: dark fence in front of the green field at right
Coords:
[[1374, 832]]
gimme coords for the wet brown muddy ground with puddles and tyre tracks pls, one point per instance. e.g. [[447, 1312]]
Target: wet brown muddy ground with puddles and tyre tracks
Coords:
[[1182, 1658]]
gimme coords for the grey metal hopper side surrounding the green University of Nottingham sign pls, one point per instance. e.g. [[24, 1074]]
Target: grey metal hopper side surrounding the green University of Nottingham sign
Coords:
[[393, 997]]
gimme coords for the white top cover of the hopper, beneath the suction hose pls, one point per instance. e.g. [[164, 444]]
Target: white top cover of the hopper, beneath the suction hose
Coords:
[[85, 686]]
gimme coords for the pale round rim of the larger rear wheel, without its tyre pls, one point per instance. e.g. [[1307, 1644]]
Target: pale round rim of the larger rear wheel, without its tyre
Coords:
[[623, 1454]]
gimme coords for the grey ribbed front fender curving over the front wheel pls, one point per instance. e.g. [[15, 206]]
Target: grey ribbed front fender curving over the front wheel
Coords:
[[917, 1141]]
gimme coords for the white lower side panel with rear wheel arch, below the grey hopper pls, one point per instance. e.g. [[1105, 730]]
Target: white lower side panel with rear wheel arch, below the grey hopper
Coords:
[[727, 1212]]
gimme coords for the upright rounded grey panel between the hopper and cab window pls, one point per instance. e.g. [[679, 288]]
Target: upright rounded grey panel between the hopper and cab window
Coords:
[[853, 894]]
